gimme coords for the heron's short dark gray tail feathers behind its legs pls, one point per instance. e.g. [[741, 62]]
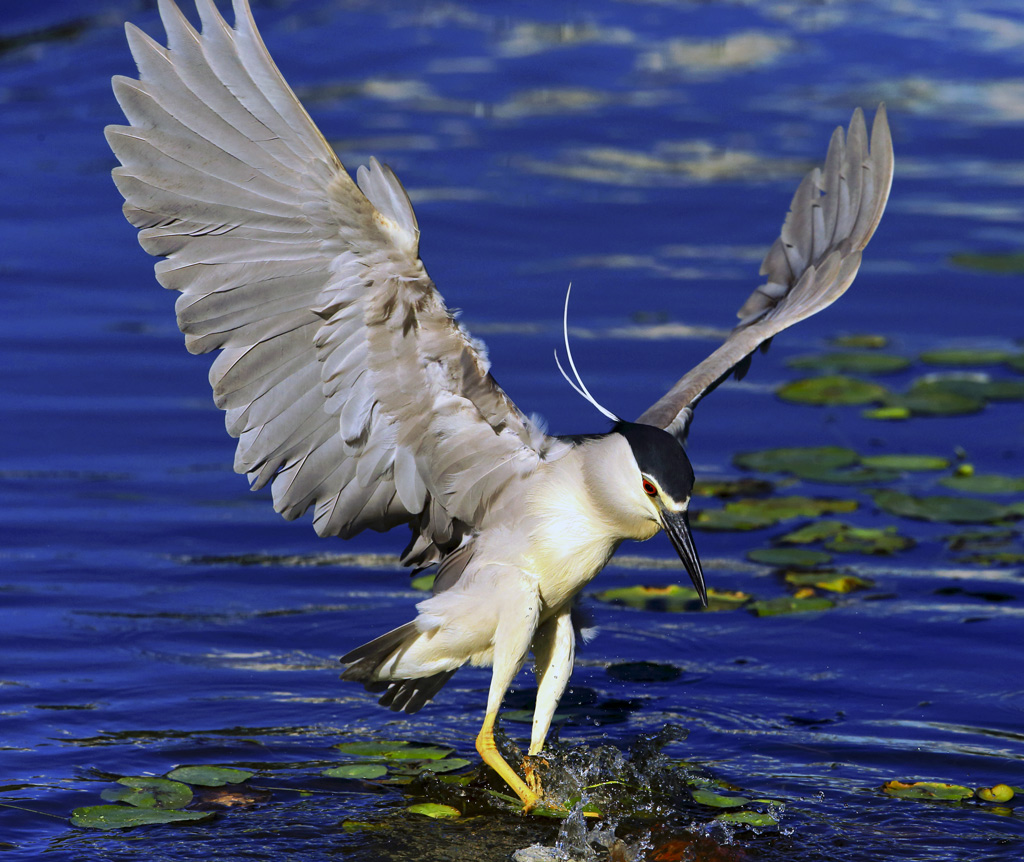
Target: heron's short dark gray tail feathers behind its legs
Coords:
[[366, 666]]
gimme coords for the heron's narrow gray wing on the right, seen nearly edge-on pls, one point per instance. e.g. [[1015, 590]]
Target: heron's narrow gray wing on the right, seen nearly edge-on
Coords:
[[810, 266]]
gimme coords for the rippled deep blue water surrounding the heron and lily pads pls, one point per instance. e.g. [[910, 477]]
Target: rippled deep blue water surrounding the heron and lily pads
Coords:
[[542, 144]]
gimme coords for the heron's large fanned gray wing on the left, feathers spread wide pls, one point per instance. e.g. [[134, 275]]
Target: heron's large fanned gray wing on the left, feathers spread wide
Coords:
[[350, 385]]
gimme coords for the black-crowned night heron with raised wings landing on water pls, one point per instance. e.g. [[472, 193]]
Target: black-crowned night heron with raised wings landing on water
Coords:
[[354, 391]]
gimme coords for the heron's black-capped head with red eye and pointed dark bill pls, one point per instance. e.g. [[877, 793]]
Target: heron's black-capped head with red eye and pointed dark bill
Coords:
[[662, 486]]
